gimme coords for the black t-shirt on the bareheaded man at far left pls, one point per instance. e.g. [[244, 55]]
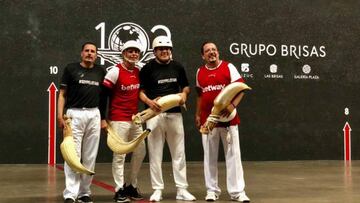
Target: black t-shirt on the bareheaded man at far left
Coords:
[[83, 86]]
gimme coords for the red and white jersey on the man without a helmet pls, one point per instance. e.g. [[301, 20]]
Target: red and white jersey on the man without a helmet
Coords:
[[211, 82]]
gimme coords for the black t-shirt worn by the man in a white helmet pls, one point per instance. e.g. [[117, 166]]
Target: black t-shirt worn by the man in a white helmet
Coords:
[[162, 79]]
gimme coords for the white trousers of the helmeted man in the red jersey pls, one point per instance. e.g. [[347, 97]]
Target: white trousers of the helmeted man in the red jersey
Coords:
[[127, 131]]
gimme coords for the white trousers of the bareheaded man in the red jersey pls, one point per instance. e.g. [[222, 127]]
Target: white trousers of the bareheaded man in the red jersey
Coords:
[[234, 170]]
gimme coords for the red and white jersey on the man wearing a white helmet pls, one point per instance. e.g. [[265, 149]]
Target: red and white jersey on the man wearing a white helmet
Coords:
[[124, 99]]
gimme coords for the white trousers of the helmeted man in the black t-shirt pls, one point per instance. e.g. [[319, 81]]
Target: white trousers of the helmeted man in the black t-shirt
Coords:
[[169, 127]]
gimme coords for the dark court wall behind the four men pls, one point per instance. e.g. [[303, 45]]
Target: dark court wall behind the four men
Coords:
[[289, 115]]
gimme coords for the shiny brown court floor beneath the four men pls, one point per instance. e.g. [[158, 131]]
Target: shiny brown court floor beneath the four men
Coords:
[[268, 182]]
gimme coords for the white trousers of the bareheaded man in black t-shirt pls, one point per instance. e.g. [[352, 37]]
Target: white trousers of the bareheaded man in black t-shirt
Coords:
[[85, 126]]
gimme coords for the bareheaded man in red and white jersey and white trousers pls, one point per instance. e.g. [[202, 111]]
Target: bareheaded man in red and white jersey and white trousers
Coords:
[[211, 78]]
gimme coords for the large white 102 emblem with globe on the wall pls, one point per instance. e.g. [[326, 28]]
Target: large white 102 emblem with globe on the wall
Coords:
[[123, 33]]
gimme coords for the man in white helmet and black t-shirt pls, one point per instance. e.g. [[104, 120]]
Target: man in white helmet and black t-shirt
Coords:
[[160, 77]]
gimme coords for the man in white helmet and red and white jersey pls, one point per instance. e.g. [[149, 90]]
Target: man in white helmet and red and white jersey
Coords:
[[123, 83]]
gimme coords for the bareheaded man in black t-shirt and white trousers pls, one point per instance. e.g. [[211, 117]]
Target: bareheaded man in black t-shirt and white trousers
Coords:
[[81, 96]]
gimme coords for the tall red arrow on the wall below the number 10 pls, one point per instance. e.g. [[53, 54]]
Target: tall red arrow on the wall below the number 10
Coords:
[[52, 125]]
